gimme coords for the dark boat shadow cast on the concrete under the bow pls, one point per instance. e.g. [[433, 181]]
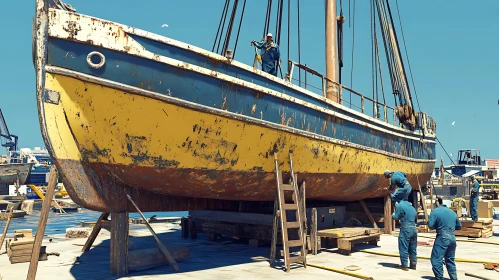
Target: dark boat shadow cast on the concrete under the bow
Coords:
[[204, 255]]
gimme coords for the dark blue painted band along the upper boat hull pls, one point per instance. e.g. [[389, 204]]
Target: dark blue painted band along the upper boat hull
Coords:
[[212, 92]]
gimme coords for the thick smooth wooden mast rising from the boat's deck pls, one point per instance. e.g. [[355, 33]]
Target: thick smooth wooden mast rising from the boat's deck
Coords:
[[332, 91]]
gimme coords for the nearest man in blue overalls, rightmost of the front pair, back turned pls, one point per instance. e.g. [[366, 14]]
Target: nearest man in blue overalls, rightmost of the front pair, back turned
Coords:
[[445, 221]]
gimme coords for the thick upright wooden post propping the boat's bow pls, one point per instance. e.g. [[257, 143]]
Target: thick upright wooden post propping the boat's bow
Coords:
[[119, 244]]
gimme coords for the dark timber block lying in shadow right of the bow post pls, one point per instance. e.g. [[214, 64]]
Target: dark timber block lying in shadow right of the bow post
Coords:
[[143, 257]]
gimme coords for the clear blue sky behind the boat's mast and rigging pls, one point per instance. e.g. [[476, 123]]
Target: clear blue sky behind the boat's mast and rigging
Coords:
[[452, 47]]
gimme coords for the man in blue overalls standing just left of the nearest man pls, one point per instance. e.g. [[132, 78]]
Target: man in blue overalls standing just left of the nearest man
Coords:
[[408, 236]]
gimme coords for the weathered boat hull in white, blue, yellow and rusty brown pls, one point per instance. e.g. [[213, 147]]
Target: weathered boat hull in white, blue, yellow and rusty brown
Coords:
[[181, 137]]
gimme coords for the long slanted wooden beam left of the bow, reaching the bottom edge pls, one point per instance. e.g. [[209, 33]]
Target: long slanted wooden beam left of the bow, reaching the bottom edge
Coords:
[[42, 223]]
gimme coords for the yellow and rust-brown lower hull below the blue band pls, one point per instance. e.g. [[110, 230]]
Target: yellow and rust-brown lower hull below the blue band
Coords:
[[107, 142]]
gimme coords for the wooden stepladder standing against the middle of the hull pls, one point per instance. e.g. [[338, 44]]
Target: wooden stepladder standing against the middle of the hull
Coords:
[[281, 207]]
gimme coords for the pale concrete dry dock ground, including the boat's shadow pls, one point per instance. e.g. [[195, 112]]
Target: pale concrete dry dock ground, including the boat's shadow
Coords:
[[227, 260]]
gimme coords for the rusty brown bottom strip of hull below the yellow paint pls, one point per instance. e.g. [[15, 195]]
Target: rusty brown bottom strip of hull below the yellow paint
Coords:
[[172, 189]]
